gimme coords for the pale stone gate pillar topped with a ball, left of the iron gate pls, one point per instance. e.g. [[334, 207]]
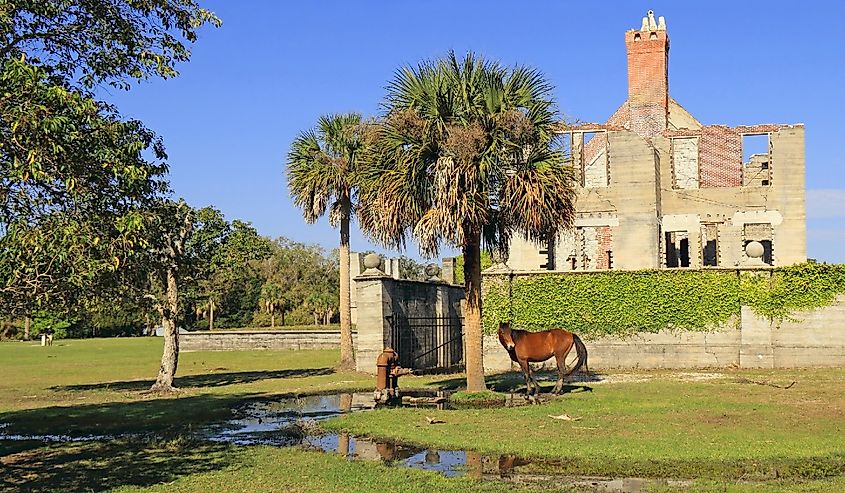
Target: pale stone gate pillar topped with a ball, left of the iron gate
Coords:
[[374, 306]]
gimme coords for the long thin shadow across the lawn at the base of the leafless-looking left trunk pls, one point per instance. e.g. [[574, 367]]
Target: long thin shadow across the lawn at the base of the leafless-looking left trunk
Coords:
[[204, 380]]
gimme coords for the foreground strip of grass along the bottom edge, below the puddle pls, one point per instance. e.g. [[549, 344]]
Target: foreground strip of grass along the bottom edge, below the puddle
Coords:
[[187, 467]]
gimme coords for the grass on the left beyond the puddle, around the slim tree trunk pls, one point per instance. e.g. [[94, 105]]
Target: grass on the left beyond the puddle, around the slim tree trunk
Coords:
[[98, 385]]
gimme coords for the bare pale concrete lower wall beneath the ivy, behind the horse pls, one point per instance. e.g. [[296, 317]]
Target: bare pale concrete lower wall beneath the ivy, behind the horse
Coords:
[[815, 339]]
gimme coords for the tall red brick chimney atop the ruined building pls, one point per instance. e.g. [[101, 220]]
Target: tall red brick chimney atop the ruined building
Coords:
[[648, 76]]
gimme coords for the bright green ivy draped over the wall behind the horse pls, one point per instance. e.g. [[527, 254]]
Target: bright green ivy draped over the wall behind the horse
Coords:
[[623, 303]]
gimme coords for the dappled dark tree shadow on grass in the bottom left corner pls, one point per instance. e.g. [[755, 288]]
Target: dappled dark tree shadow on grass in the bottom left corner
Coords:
[[98, 466]]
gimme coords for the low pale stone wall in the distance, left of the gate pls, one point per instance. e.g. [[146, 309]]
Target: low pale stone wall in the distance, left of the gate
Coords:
[[232, 340]]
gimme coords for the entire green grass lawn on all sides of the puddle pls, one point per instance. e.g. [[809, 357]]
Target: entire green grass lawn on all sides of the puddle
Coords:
[[731, 430]]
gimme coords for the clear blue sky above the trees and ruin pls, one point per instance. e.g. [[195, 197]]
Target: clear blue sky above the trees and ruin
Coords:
[[275, 66]]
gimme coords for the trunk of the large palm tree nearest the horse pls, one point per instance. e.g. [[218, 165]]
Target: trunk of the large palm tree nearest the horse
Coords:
[[472, 317]]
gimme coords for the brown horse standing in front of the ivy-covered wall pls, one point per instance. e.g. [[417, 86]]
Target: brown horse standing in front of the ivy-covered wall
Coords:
[[532, 347]]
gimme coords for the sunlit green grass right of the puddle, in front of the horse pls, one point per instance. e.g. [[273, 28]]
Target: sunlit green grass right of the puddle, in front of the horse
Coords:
[[663, 428]]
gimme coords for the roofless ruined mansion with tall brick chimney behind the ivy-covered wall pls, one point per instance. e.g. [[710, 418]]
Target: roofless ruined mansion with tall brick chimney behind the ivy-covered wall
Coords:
[[658, 189]]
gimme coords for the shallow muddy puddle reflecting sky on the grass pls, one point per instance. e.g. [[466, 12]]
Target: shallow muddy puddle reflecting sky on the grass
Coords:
[[293, 422]]
